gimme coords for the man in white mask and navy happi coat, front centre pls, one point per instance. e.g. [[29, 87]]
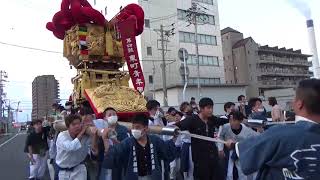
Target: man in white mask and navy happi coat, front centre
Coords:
[[140, 155]]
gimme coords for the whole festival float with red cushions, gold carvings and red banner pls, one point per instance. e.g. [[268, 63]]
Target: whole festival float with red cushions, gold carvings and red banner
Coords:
[[99, 49]]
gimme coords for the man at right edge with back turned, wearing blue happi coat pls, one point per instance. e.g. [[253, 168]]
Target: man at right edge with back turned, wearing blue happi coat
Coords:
[[287, 152]]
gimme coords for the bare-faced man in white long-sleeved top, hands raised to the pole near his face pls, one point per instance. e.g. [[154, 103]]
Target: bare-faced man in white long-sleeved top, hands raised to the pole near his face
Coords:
[[72, 149]]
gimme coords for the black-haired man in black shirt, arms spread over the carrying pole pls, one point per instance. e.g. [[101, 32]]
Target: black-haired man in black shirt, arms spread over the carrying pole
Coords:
[[204, 153]]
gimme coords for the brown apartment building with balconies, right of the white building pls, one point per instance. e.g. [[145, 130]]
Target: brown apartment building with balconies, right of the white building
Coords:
[[261, 67]]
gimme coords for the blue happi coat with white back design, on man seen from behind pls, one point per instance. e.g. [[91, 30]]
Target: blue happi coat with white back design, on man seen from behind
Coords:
[[285, 152]]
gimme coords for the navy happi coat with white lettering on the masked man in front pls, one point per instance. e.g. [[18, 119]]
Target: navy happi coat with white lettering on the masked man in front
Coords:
[[123, 156]]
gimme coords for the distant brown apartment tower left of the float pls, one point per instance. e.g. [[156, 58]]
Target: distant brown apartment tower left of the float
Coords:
[[45, 92]]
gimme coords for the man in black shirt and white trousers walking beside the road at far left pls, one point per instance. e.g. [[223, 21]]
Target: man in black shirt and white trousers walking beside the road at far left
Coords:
[[37, 147]]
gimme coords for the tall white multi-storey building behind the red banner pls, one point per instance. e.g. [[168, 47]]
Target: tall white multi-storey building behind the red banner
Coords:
[[172, 14]]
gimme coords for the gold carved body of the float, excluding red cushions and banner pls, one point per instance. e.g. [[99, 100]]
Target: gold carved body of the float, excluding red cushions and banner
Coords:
[[97, 54]]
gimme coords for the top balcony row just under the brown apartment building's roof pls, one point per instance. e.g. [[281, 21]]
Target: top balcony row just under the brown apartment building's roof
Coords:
[[283, 61]]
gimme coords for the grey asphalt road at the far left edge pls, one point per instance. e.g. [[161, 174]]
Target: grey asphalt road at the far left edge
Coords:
[[14, 164]]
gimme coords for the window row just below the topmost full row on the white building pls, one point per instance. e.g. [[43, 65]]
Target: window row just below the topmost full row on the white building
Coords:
[[201, 38]]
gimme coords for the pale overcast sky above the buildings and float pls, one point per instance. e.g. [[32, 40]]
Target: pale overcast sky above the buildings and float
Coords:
[[272, 22]]
